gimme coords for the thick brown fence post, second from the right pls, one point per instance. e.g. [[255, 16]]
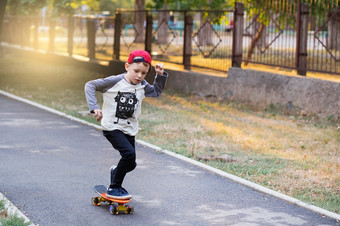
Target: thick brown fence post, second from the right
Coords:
[[237, 48]]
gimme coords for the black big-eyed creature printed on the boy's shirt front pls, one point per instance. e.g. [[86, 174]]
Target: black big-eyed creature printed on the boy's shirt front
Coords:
[[126, 105]]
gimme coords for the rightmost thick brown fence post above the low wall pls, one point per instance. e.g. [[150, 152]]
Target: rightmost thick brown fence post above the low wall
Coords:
[[302, 37]]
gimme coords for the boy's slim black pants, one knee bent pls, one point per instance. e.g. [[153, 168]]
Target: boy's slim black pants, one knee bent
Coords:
[[125, 144]]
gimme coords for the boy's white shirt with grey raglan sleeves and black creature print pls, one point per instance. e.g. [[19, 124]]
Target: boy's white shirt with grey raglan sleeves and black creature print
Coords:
[[122, 101]]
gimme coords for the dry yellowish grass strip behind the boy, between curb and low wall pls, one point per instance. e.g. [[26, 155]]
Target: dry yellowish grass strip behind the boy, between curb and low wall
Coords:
[[293, 154]]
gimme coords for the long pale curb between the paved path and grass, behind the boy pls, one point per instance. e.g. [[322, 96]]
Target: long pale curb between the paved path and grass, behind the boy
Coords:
[[194, 162]]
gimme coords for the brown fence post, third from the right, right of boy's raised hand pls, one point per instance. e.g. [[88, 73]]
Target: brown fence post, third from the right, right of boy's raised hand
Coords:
[[187, 48]]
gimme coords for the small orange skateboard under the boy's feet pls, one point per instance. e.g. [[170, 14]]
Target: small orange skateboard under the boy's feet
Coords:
[[117, 206]]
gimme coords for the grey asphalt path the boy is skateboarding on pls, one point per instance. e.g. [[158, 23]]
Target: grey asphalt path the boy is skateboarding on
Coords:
[[49, 164]]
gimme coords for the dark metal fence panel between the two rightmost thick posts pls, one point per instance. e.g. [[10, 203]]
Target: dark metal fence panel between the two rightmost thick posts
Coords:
[[270, 39]]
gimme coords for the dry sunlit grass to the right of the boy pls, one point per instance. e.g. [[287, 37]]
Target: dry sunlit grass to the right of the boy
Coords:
[[285, 153]]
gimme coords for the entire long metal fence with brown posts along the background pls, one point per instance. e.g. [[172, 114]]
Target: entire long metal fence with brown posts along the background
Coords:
[[290, 34]]
